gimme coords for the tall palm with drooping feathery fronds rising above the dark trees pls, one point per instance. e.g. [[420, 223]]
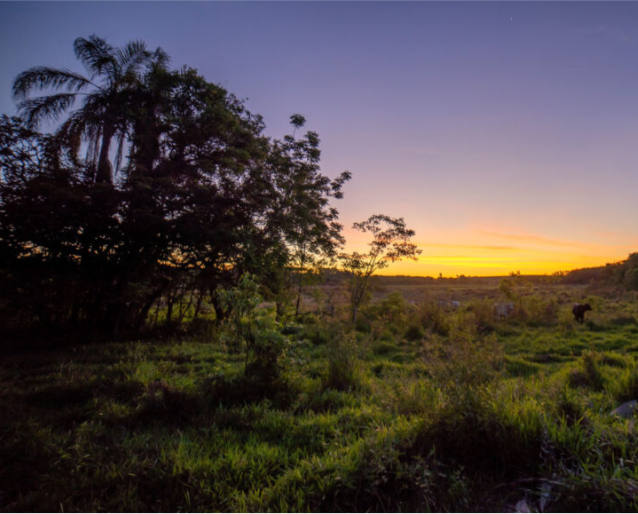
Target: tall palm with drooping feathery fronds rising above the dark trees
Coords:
[[114, 74]]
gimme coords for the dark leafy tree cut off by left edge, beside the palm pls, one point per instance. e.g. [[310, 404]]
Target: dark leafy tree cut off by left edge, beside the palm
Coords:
[[43, 227]]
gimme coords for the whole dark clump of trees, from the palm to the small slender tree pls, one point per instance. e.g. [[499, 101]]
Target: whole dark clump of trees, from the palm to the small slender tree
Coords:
[[160, 187]]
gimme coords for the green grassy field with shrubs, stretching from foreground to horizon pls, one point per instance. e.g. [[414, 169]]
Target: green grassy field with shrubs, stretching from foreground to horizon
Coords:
[[423, 407]]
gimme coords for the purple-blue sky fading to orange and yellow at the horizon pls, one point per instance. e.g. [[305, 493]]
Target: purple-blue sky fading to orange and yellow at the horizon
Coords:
[[504, 133]]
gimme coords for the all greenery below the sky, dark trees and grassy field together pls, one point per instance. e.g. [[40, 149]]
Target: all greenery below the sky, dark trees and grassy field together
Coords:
[[214, 349]]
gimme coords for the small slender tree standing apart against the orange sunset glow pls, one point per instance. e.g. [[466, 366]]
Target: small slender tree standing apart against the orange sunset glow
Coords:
[[390, 243]]
